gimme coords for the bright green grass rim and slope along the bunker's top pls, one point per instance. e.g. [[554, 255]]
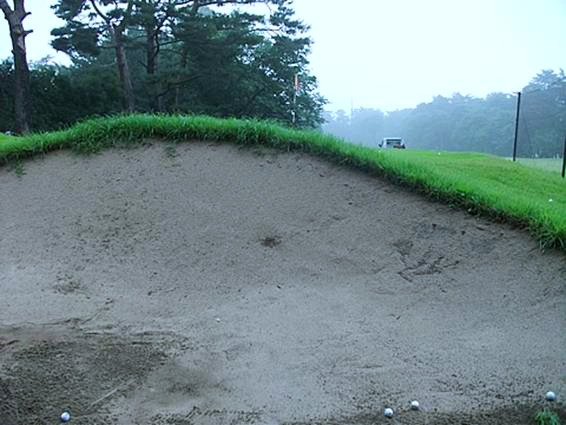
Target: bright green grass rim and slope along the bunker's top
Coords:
[[482, 184]]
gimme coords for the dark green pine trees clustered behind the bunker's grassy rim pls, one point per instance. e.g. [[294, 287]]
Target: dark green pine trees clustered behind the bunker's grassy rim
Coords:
[[217, 57]]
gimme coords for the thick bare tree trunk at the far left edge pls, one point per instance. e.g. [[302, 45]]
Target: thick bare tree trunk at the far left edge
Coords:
[[22, 95]]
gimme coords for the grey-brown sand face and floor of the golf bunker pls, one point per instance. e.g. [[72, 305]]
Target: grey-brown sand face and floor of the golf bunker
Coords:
[[211, 284]]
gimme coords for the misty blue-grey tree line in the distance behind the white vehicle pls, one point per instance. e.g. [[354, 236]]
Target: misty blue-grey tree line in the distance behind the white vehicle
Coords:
[[466, 123]]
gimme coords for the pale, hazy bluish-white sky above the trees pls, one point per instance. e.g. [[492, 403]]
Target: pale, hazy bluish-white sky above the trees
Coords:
[[392, 54]]
